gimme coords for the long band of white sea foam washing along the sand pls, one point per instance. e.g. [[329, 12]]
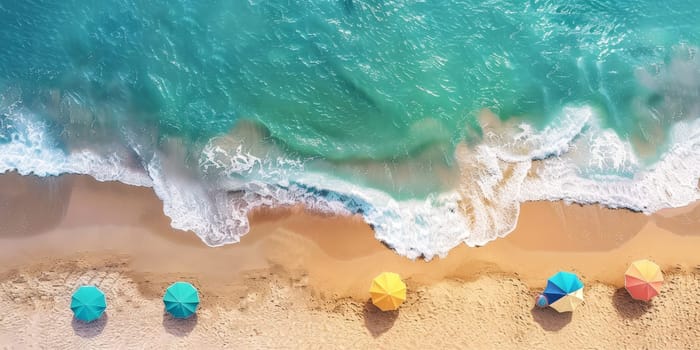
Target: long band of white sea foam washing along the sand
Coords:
[[574, 159]]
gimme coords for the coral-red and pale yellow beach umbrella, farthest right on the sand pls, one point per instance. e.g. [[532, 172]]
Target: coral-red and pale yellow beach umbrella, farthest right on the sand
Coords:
[[643, 280]]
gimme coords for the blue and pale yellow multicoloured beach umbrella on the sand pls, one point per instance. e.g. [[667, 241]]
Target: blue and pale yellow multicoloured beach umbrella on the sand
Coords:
[[564, 291]]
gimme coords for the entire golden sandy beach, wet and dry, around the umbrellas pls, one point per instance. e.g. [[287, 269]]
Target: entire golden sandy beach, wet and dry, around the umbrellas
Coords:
[[299, 280]]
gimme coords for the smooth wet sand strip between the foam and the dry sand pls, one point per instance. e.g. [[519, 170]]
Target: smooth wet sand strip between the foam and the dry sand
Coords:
[[80, 205]]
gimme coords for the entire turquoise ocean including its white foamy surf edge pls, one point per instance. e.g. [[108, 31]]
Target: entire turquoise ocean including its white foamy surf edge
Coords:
[[433, 120]]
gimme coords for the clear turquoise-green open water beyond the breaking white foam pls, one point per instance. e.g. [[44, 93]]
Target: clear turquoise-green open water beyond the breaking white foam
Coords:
[[330, 78]]
